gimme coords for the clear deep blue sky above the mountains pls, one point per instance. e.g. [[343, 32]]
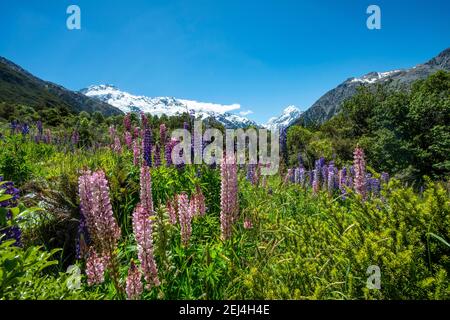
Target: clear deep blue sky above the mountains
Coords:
[[263, 55]]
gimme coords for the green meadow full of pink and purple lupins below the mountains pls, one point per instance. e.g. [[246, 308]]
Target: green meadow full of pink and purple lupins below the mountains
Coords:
[[110, 217]]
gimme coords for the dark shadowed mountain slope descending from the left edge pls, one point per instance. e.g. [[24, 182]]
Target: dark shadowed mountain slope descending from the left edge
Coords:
[[18, 86]]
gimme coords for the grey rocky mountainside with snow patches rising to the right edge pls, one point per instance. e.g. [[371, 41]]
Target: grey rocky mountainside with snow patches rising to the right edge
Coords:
[[329, 104]]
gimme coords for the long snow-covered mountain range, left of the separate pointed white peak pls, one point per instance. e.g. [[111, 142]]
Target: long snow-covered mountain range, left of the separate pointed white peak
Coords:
[[169, 106]]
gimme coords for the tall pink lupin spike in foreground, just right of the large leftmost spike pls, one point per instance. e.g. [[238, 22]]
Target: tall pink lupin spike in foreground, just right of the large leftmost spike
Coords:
[[142, 228]]
